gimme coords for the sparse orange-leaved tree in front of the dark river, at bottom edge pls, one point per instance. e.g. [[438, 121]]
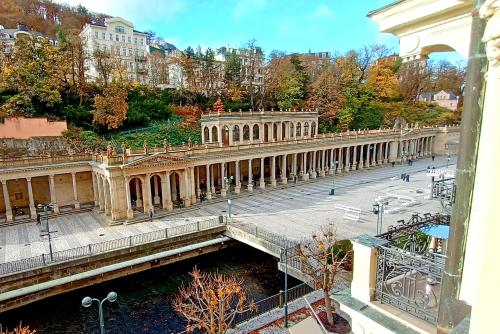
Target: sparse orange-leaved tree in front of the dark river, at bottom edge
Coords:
[[212, 301]]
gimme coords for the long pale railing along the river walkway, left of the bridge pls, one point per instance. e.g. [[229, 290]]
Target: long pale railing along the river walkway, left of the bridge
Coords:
[[43, 260]]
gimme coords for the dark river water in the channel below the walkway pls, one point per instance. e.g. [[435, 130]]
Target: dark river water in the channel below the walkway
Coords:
[[143, 304]]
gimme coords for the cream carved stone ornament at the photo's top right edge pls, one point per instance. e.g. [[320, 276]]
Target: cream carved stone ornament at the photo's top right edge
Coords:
[[490, 10]]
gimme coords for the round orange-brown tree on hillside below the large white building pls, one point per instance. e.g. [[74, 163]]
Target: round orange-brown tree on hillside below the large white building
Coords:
[[110, 107]]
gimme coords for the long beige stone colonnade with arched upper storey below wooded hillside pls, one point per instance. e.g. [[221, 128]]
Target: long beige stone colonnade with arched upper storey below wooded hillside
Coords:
[[250, 149]]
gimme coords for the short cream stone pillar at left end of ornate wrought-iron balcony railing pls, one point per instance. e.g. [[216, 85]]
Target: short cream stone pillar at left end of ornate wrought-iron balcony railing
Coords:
[[365, 267]]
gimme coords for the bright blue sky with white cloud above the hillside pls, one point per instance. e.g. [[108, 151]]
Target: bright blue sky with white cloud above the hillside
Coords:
[[285, 25]]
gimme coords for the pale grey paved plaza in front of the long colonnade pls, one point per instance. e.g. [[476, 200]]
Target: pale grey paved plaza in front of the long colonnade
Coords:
[[295, 211]]
